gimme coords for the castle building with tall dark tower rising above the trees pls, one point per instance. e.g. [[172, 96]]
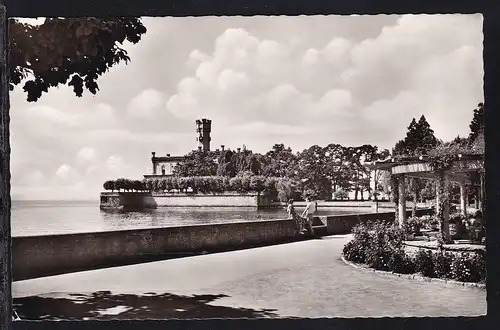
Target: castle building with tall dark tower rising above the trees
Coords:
[[164, 165]]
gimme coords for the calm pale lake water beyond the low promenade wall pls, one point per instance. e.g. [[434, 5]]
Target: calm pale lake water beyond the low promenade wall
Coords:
[[59, 217]]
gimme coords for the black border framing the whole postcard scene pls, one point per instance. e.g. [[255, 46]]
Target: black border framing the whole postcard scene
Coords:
[[144, 8]]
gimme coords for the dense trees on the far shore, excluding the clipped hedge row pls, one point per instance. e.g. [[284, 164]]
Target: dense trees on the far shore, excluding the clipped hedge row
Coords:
[[316, 171]]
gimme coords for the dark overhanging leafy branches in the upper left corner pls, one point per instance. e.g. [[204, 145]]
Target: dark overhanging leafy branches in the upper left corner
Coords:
[[72, 51]]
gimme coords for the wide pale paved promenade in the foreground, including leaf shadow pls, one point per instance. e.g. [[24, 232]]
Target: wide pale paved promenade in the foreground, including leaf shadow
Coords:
[[302, 279]]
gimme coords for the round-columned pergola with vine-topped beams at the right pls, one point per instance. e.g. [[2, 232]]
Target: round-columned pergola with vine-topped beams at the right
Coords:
[[459, 171]]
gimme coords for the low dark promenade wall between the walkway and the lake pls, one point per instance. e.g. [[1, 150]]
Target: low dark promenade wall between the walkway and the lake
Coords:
[[38, 256]]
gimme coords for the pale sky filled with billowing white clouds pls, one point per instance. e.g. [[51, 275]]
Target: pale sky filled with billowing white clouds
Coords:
[[262, 80]]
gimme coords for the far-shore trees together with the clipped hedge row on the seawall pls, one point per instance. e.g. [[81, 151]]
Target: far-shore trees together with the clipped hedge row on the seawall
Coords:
[[318, 172]]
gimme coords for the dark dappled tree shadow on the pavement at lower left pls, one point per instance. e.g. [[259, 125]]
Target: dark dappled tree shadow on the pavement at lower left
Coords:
[[129, 306]]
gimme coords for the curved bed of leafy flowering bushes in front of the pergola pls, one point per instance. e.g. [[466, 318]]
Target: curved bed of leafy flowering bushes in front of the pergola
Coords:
[[381, 246]]
